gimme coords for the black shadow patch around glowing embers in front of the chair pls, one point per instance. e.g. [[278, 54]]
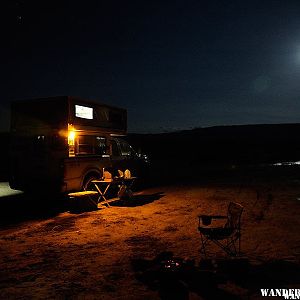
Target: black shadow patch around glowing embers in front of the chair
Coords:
[[175, 278]]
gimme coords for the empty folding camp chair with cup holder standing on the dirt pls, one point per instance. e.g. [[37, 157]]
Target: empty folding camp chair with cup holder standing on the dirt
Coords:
[[227, 237]]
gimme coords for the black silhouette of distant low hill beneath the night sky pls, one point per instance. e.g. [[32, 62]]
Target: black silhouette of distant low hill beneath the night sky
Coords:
[[226, 144]]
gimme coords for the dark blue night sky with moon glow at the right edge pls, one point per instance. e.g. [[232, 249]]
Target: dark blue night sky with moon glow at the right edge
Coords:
[[173, 64]]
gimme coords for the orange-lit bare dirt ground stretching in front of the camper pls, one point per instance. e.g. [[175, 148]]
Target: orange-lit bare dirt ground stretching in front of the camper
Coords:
[[116, 252]]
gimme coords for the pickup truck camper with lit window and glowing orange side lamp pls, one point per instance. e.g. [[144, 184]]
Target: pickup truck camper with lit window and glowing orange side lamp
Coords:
[[61, 144]]
